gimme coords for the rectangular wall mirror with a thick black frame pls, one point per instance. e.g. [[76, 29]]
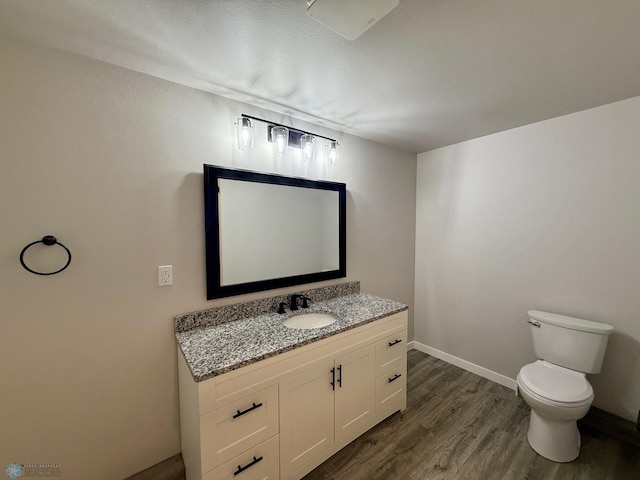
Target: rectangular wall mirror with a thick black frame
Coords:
[[265, 231]]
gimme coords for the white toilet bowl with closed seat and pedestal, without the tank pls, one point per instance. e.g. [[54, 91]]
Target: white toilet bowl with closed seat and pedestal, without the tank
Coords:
[[558, 398]]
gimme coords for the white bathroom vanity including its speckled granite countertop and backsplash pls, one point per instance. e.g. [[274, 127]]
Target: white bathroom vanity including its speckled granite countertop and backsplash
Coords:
[[259, 400]]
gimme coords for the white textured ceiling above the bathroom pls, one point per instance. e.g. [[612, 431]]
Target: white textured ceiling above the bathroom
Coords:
[[431, 73]]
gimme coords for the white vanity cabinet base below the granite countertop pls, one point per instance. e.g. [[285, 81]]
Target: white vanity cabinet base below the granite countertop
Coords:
[[280, 417]]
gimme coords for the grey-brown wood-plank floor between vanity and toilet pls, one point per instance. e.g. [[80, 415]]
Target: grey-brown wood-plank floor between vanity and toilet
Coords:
[[458, 425]]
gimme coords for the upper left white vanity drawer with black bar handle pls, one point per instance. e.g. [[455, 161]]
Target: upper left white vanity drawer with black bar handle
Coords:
[[238, 426]]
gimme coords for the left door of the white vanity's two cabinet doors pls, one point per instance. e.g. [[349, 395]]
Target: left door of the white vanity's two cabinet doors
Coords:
[[306, 415]]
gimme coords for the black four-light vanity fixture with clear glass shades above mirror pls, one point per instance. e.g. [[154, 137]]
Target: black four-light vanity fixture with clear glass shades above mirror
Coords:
[[283, 137]]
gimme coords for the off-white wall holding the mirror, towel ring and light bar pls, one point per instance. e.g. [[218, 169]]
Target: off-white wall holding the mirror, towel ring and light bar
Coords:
[[110, 161]]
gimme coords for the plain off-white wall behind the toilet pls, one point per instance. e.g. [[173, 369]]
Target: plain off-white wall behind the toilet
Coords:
[[543, 217]]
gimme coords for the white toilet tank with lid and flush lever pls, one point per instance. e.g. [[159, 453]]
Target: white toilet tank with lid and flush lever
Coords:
[[569, 342]]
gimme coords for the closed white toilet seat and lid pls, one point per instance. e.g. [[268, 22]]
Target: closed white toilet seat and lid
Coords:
[[555, 385]]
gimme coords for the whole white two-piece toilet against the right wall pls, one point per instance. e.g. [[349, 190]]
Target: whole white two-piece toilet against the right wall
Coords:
[[556, 387]]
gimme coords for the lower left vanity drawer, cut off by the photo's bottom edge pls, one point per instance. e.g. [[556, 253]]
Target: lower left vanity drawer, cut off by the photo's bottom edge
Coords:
[[258, 463]]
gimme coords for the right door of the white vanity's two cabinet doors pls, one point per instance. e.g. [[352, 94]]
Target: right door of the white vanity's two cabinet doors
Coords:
[[355, 393]]
